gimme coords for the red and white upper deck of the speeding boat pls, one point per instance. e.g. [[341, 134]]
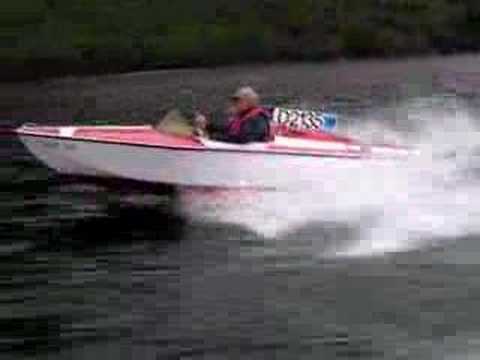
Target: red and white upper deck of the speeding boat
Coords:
[[297, 142]]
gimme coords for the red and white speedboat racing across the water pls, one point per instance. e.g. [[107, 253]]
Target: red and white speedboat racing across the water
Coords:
[[294, 157]]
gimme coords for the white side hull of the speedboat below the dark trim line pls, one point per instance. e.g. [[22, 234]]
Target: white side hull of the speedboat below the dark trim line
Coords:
[[183, 167]]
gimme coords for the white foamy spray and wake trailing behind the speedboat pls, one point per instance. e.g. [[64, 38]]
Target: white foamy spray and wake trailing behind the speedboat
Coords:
[[388, 208]]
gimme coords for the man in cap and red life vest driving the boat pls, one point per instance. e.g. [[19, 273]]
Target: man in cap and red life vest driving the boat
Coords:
[[248, 123]]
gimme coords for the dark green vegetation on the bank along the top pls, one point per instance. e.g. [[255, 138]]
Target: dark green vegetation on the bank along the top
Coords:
[[62, 36]]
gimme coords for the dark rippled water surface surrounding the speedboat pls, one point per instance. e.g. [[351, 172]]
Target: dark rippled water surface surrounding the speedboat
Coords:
[[89, 272]]
